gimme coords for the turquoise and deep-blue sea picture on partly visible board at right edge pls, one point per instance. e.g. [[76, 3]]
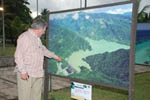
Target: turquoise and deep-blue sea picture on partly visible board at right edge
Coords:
[[142, 54]]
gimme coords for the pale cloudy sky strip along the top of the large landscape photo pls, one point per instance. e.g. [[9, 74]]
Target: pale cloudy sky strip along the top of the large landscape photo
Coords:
[[119, 9]]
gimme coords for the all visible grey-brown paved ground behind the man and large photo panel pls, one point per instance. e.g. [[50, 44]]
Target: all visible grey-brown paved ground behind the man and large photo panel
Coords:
[[8, 84]]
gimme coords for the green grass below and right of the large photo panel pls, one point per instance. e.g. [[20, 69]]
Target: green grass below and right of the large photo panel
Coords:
[[142, 90]]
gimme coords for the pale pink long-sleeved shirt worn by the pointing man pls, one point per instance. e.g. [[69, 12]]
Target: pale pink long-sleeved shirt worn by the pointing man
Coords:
[[29, 55]]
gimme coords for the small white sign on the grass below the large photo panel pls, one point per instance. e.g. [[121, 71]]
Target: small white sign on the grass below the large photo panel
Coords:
[[81, 91]]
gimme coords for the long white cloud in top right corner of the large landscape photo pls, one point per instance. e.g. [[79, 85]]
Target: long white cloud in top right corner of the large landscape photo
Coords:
[[119, 11]]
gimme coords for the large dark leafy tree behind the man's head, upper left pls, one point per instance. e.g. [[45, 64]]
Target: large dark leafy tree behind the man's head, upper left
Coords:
[[15, 10]]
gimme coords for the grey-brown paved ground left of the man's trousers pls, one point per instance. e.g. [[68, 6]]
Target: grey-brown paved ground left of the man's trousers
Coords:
[[8, 87]]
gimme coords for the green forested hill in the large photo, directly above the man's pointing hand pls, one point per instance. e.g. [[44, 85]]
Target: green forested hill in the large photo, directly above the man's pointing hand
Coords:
[[66, 41]]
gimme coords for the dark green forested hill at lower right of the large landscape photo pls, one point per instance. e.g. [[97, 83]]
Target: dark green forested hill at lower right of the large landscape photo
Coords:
[[114, 66]]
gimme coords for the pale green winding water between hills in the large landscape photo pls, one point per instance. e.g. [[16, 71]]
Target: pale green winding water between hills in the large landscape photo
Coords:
[[101, 46]]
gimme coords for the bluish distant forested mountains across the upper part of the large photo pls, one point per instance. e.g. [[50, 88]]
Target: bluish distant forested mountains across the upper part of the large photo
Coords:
[[111, 27]]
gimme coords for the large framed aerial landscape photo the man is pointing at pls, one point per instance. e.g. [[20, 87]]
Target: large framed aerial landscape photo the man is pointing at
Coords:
[[94, 44]]
